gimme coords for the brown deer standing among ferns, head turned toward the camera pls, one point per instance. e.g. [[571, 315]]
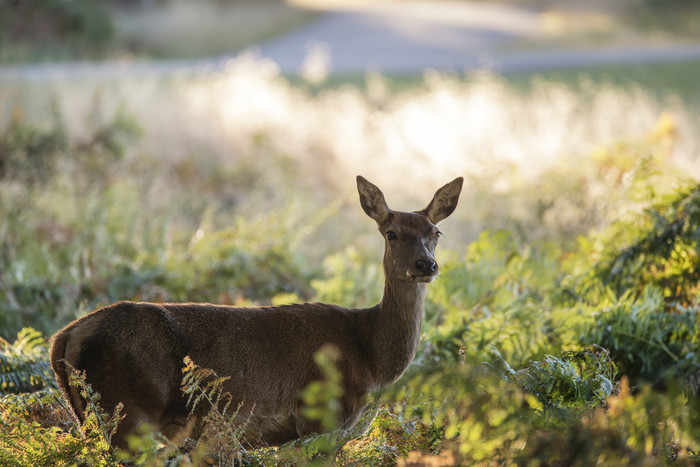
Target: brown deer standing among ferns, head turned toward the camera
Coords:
[[132, 353]]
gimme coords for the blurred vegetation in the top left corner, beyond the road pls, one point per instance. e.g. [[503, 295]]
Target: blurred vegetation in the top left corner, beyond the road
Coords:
[[50, 30]]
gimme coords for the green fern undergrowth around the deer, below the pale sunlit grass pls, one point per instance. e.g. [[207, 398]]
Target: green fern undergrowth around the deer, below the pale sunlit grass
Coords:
[[579, 348]]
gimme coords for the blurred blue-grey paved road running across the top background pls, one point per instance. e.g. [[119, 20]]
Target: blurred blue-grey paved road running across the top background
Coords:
[[393, 37]]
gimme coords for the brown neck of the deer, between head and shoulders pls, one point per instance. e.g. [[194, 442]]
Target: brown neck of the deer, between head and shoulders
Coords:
[[397, 328]]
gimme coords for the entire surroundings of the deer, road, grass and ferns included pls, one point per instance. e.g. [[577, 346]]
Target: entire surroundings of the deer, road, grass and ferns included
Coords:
[[206, 151]]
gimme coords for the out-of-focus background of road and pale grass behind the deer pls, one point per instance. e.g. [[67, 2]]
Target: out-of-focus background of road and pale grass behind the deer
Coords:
[[130, 129]]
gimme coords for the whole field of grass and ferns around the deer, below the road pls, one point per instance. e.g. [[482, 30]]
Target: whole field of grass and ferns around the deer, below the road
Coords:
[[563, 329]]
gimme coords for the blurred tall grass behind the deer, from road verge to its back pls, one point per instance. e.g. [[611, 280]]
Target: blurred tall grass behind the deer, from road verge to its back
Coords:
[[154, 165]]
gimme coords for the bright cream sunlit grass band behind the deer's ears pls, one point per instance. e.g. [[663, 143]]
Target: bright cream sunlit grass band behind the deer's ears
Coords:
[[249, 135]]
